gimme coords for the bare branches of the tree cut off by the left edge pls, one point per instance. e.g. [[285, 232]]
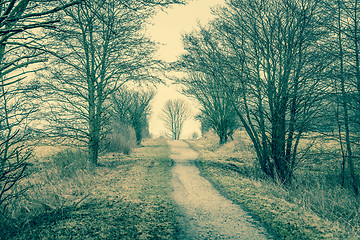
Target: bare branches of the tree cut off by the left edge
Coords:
[[20, 49]]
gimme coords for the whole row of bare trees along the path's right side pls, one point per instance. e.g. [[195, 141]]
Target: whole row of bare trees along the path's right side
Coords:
[[279, 69]]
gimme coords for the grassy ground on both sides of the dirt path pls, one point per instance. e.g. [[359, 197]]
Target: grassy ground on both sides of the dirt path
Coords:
[[129, 196]]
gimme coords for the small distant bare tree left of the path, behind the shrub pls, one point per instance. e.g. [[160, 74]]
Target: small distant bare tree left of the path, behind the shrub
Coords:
[[132, 107]]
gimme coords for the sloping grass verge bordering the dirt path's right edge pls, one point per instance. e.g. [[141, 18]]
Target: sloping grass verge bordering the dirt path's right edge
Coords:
[[237, 178]]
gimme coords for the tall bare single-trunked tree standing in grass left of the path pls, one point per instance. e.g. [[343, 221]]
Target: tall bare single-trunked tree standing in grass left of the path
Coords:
[[100, 47]]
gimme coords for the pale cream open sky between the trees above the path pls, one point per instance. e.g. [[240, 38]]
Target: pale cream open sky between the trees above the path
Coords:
[[167, 29]]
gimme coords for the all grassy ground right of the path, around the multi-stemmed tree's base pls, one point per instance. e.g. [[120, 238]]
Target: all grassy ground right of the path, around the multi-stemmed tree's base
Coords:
[[315, 207]]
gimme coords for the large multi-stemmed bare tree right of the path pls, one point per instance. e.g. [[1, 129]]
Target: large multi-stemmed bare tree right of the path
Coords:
[[268, 55]]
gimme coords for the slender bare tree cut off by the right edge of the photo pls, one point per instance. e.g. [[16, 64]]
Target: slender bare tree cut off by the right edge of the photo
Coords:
[[345, 75]]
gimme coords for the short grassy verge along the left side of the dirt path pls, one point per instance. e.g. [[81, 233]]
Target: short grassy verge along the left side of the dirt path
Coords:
[[127, 198]]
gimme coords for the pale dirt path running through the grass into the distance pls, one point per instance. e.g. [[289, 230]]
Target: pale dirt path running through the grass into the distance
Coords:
[[205, 213]]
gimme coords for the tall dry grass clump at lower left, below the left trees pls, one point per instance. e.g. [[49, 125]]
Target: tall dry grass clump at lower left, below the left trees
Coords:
[[55, 185]]
